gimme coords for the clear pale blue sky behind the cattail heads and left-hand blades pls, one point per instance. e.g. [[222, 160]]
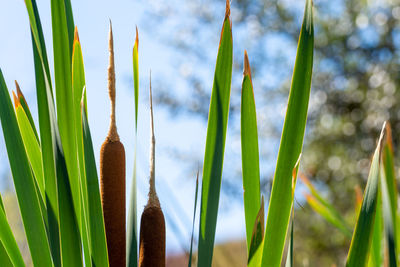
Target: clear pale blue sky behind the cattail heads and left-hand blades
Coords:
[[182, 132]]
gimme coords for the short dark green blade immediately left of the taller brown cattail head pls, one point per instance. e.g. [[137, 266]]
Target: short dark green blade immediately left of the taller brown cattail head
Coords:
[[97, 231]]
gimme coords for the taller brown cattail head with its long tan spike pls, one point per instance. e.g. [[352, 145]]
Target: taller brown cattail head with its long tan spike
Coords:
[[112, 180]]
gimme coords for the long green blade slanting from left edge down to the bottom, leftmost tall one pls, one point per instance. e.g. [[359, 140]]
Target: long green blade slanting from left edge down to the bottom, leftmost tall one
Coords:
[[24, 182]]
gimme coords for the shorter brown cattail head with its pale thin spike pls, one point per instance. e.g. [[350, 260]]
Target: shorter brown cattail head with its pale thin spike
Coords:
[[152, 223]]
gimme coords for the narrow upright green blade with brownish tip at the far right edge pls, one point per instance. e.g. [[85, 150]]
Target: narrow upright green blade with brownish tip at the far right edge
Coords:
[[389, 197]]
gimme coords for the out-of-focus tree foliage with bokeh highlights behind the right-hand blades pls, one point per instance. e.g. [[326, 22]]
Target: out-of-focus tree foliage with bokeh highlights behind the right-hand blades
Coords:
[[354, 89]]
